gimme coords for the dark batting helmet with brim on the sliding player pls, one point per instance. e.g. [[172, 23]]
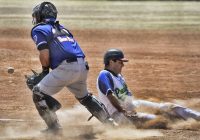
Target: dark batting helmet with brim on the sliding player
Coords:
[[114, 54]]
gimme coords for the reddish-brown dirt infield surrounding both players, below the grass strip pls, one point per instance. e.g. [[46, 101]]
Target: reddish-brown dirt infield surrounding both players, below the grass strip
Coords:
[[164, 66]]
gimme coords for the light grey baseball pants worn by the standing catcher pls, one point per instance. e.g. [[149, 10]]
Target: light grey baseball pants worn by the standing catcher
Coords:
[[71, 75]]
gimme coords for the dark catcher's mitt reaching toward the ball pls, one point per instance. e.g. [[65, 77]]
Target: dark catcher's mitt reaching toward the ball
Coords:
[[32, 80]]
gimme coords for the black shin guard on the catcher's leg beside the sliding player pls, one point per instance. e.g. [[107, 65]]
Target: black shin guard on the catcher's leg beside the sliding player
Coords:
[[97, 109]]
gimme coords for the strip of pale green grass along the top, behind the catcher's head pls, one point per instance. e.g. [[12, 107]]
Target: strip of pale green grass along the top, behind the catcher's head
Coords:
[[108, 14]]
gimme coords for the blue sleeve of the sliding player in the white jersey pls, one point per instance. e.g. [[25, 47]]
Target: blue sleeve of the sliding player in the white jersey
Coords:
[[105, 82]]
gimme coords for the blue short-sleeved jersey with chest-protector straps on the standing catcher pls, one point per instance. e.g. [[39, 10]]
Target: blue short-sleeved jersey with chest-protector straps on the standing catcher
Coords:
[[62, 45]]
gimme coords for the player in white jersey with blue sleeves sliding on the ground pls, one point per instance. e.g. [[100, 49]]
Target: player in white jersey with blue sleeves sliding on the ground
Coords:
[[119, 101]]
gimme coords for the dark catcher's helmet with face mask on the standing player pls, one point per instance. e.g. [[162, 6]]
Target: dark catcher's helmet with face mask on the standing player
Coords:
[[45, 10]]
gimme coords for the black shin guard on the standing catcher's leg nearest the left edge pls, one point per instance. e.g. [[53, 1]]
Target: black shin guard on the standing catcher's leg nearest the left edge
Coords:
[[45, 109]]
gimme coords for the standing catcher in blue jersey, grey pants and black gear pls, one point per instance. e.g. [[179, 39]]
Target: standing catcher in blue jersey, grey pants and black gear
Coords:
[[59, 51]]
